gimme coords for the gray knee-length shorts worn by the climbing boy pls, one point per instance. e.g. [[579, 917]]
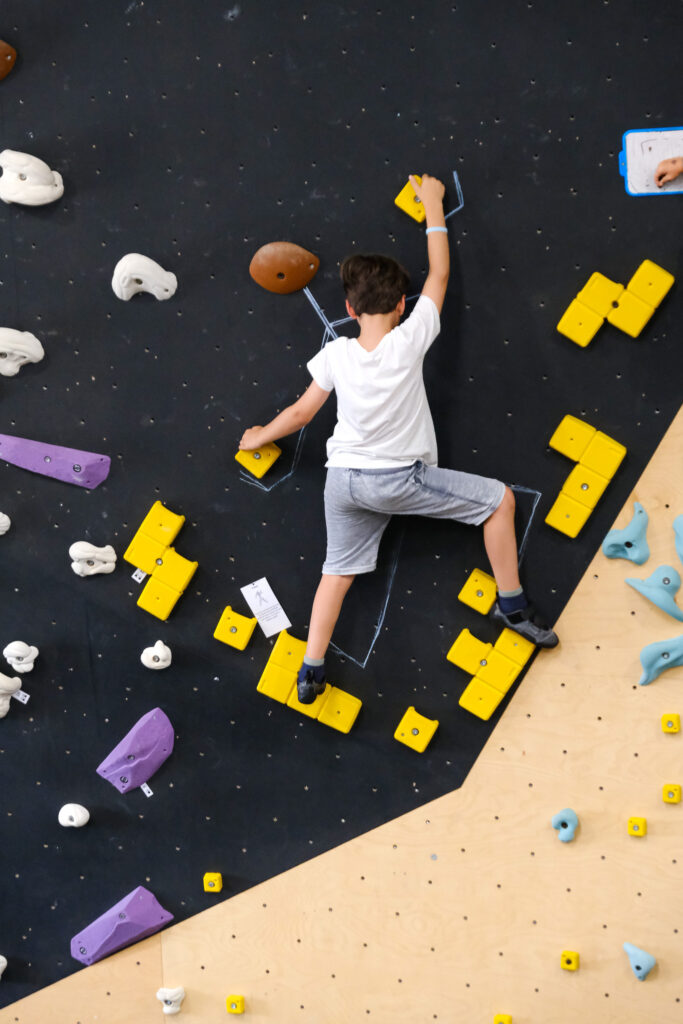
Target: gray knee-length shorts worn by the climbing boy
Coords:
[[360, 503]]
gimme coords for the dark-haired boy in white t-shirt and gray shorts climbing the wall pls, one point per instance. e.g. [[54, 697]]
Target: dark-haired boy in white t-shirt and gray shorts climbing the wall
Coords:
[[382, 457]]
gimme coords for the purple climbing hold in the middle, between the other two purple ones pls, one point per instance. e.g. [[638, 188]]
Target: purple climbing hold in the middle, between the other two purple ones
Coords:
[[141, 753]]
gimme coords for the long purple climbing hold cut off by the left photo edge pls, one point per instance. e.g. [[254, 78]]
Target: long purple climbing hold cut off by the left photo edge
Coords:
[[87, 470]]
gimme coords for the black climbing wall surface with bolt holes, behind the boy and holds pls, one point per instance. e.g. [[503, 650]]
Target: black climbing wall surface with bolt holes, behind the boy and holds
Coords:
[[194, 134]]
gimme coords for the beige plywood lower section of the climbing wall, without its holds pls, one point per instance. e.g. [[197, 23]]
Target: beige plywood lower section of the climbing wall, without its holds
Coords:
[[461, 909]]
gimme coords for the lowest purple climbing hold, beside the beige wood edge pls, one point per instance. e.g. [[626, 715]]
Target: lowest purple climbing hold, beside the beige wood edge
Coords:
[[136, 917]]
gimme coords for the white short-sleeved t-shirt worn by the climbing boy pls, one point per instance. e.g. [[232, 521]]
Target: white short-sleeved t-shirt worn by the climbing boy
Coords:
[[383, 417]]
